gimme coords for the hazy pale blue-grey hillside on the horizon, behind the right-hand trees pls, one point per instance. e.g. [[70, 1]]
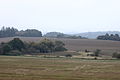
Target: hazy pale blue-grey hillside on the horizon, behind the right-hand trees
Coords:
[[93, 35]]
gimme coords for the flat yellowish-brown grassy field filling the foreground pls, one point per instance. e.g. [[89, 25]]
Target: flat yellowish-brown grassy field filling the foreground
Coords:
[[36, 68]]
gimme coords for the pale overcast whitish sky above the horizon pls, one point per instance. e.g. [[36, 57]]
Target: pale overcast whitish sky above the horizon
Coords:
[[67, 16]]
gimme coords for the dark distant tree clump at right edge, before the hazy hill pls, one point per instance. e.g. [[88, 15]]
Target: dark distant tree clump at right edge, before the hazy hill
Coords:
[[115, 37]]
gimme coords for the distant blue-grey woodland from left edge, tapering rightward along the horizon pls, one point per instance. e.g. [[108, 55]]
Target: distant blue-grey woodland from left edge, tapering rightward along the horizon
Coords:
[[12, 32]]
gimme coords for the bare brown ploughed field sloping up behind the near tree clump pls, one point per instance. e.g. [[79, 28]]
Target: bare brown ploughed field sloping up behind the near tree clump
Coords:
[[107, 47]]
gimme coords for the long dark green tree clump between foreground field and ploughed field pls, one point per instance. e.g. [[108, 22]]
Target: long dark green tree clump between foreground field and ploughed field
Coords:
[[18, 47]]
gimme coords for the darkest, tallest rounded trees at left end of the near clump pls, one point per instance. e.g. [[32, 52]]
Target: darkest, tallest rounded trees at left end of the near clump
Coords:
[[15, 45]]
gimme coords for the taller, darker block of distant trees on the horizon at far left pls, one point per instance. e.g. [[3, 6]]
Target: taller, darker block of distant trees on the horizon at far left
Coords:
[[11, 32]]
